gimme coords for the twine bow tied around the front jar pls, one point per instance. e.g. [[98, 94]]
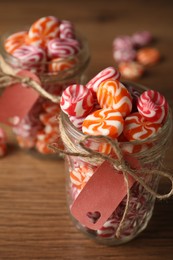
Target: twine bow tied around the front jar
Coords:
[[119, 163]]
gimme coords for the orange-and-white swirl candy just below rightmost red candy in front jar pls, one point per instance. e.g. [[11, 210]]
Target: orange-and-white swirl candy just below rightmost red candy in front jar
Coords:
[[136, 127]]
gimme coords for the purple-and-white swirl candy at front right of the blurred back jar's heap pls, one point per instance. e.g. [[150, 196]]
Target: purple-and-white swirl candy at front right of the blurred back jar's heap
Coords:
[[62, 48]]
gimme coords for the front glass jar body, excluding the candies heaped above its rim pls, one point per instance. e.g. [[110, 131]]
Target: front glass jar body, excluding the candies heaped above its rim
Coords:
[[138, 202]]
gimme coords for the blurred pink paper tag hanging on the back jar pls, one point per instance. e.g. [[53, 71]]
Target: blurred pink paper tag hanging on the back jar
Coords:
[[17, 100]]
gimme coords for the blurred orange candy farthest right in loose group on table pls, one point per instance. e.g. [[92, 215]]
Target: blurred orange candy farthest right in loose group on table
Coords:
[[148, 56]]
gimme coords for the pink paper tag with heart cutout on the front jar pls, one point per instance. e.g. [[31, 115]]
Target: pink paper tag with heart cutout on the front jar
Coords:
[[102, 194]]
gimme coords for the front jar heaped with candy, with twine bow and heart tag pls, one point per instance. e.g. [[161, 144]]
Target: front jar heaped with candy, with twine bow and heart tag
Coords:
[[115, 136]]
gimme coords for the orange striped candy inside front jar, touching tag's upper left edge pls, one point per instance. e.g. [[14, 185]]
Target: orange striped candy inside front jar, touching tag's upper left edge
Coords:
[[80, 176]]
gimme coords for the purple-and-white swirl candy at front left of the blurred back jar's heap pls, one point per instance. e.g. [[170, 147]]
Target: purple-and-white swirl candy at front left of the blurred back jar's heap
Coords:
[[31, 58]]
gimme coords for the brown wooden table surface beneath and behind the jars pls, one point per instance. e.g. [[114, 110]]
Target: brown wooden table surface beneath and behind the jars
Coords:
[[34, 222]]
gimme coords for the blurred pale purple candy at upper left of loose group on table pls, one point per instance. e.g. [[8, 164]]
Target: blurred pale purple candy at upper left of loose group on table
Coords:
[[123, 42]]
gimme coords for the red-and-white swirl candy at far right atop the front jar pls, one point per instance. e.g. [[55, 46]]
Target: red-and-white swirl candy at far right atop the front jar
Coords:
[[153, 106]]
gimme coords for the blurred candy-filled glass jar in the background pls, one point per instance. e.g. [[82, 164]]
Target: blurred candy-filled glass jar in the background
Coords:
[[52, 50]]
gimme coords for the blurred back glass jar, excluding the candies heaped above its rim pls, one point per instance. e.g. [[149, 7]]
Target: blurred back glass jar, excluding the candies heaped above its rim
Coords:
[[39, 127]]
